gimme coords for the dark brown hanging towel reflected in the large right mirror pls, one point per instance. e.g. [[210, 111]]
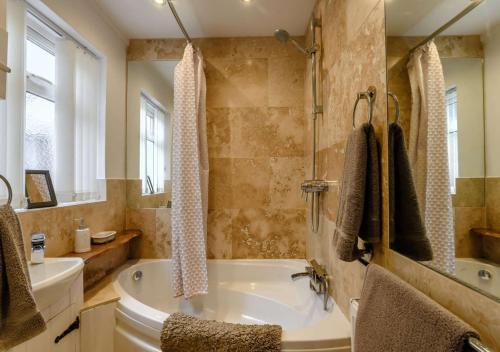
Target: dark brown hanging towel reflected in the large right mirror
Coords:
[[407, 229]]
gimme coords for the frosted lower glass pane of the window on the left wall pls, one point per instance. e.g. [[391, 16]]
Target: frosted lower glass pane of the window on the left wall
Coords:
[[39, 134]]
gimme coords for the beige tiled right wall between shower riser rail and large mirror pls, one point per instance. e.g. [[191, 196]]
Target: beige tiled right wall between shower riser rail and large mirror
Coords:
[[353, 58]]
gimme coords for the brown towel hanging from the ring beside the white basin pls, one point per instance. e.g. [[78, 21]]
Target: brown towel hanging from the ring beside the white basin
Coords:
[[20, 319]]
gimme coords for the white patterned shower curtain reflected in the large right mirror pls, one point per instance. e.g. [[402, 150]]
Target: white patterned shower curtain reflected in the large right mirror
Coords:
[[428, 152]]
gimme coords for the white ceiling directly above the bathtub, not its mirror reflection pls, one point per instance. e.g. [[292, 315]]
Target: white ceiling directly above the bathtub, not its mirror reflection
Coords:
[[208, 18]]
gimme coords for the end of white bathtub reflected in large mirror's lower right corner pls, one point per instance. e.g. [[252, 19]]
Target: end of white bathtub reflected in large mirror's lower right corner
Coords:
[[468, 271]]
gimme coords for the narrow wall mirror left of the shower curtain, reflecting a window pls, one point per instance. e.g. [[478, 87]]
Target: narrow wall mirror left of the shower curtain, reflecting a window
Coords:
[[149, 109]]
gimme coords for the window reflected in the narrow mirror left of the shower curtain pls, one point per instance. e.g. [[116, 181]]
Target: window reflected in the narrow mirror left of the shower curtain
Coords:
[[153, 147]]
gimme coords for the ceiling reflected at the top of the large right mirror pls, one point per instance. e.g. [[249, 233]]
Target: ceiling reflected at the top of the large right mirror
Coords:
[[420, 18]]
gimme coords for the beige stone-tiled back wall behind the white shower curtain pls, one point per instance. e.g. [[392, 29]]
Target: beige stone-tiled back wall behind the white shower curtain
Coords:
[[255, 100]]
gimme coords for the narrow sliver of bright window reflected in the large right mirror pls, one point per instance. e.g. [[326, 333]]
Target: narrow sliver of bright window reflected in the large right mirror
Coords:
[[452, 117]]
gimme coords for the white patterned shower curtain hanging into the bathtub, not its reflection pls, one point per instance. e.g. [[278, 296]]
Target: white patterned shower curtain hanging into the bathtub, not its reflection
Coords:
[[189, 177]]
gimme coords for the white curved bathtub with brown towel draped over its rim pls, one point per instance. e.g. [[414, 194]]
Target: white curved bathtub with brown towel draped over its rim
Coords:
[[240, 291]]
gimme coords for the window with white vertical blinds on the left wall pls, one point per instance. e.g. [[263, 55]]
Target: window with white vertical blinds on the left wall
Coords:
[[53, 116]]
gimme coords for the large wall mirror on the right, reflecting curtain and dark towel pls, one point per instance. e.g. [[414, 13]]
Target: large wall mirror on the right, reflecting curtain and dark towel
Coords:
[[443, 65]]
